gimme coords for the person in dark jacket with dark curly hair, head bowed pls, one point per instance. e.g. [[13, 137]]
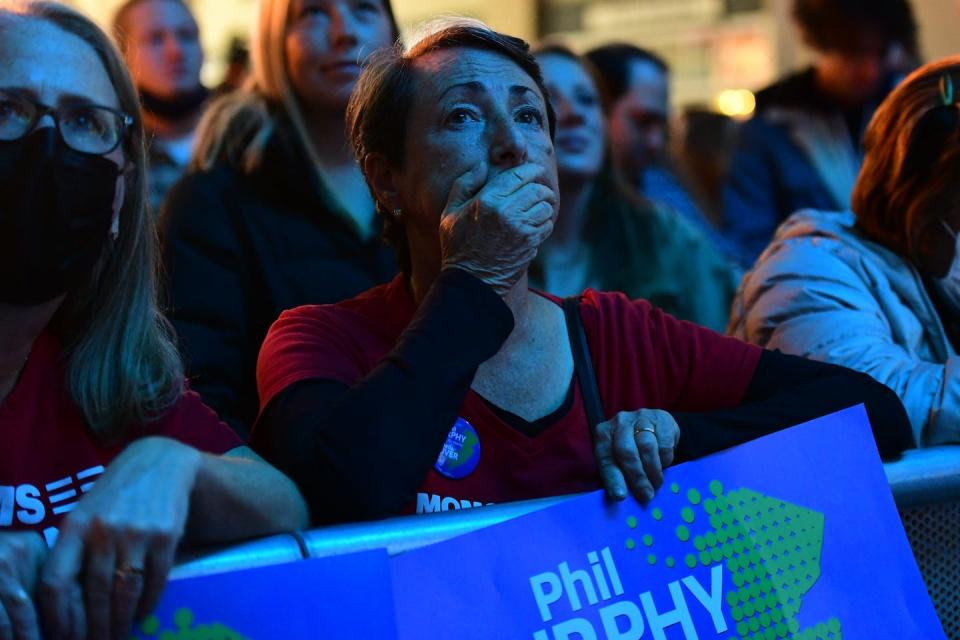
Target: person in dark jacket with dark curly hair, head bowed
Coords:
[[802, 149]]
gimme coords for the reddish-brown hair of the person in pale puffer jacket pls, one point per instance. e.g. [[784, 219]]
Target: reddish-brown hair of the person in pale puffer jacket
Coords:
[[911, 167]]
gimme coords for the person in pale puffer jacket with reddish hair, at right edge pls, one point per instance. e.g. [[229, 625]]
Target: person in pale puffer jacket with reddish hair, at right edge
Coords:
[[879, 290]]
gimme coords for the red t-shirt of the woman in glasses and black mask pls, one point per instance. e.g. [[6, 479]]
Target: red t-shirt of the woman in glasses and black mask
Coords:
[[48, 456]]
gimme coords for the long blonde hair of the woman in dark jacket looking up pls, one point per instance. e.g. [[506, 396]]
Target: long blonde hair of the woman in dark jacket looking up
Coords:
[[237, 127]]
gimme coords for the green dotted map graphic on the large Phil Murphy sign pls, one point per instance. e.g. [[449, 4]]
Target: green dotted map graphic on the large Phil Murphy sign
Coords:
[[771, 548]]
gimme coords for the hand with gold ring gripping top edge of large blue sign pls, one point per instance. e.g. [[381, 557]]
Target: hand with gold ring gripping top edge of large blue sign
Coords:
[[632, 451]]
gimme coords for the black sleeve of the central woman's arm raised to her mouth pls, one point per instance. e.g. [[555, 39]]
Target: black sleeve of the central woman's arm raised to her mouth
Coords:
[[360, 452]]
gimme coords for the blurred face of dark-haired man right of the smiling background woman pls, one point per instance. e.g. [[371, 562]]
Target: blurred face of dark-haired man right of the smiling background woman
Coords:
[[639, 119]]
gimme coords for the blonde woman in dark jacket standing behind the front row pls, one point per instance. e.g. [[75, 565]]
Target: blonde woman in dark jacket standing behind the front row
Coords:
[[274, 212]]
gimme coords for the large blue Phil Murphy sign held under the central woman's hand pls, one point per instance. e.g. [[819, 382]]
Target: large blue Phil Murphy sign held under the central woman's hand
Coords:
[[792, 536]]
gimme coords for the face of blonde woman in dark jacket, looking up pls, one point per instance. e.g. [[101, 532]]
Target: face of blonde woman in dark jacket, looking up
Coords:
[[327, 44]]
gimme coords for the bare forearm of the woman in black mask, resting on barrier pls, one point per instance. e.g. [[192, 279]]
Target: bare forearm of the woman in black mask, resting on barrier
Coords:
[[238, 495]]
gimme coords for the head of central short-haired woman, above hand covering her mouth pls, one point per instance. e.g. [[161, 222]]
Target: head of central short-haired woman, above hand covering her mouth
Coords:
[[470, 108]]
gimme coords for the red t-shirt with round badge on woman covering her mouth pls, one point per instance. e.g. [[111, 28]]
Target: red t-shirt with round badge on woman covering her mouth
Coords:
[[643, 358]]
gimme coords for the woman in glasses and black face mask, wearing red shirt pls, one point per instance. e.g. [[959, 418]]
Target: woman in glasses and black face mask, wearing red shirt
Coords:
[[107, 462]]
